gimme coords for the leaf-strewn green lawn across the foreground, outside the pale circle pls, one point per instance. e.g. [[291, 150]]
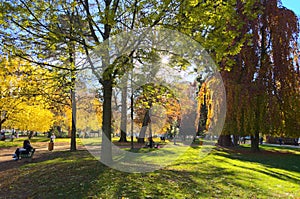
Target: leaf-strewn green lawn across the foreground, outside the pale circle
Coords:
[[223, 173]]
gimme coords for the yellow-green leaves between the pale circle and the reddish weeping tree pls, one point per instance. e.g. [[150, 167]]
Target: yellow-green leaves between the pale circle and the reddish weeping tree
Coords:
[[217, 25]]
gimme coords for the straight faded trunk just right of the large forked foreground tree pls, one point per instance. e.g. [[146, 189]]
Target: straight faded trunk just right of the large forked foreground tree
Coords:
[[123, 125]]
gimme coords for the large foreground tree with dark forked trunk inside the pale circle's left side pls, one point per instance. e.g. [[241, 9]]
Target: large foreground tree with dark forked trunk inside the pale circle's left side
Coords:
[[111, 14]]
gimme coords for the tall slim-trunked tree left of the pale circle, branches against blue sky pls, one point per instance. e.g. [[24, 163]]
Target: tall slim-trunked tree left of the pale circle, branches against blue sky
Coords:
[[46, 33]]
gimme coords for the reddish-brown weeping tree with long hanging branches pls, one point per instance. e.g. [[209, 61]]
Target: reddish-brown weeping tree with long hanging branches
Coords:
[[263, 85]]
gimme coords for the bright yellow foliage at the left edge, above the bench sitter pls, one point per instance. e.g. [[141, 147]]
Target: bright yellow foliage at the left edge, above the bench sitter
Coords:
[[22, 105]]
